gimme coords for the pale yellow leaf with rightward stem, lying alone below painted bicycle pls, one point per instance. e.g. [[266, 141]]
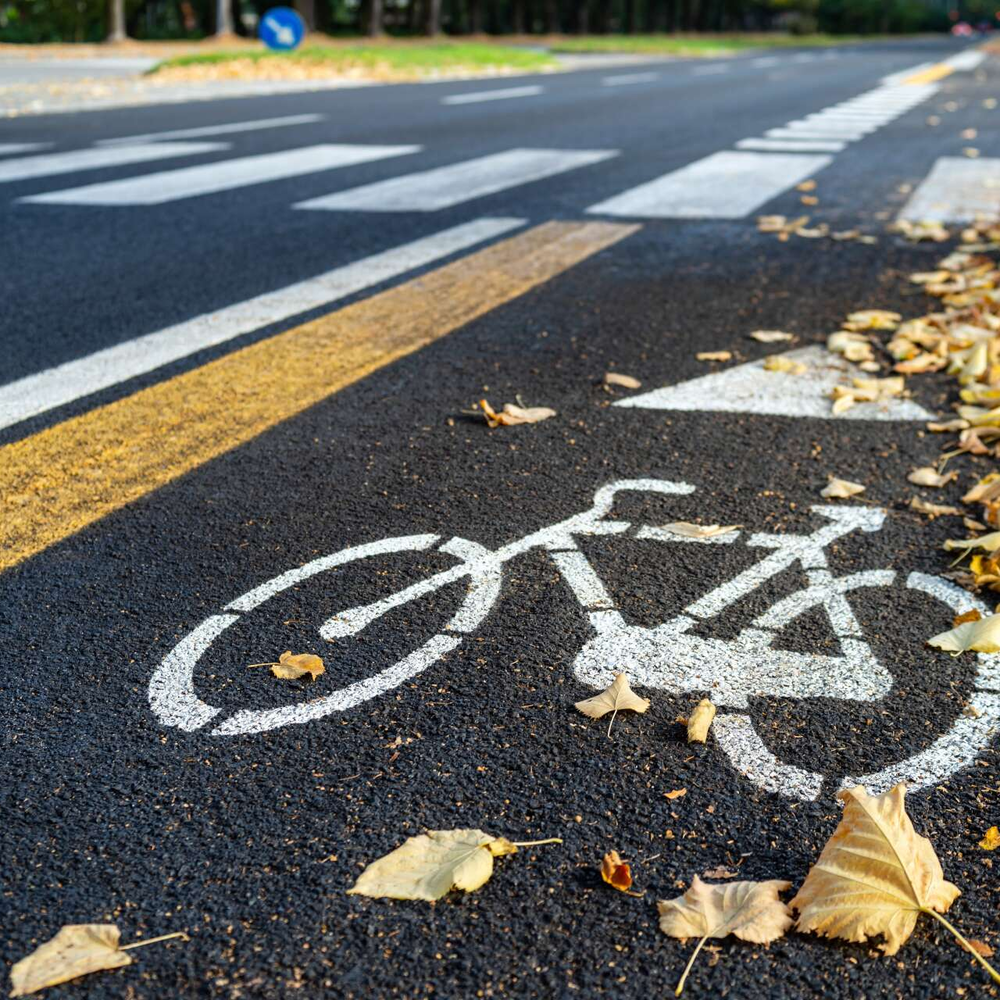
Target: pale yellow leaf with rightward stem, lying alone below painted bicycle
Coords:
[[431, 864]]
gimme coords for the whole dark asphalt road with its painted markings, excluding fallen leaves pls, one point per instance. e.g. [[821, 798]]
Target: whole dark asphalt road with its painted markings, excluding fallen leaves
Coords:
[[248, 338]]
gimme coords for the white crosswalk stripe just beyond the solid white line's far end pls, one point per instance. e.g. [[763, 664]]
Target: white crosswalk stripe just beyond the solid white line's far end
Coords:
[[430, 190]]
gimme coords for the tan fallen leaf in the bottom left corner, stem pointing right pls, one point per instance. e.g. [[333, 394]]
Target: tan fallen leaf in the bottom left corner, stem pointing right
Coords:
[[76, 950]]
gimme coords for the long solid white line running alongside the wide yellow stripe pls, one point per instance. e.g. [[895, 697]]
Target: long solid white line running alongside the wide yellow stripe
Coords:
[[73, 380]]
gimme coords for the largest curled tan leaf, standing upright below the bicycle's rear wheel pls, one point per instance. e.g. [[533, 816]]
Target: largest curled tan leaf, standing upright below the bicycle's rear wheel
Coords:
[[875, 876]]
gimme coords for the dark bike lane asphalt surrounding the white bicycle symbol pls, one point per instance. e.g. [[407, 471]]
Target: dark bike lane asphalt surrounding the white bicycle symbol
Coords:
[[248, 841]]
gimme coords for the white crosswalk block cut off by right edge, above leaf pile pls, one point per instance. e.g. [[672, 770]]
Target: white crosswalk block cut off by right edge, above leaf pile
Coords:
[[956, 190]]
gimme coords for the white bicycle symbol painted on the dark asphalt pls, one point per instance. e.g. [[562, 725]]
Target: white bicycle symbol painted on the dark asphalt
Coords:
[[667, 657]]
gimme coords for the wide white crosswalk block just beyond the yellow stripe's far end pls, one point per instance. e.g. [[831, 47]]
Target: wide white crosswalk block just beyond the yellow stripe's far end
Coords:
[[726, 185]]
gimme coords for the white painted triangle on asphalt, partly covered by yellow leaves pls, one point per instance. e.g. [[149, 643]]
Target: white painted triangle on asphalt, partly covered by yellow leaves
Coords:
[[750, 388]]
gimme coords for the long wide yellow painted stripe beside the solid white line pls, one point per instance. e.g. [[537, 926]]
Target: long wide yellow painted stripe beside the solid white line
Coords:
[[61, 479]]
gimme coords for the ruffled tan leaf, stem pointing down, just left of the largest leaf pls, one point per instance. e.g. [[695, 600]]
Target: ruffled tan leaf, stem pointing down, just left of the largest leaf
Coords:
[[750, 911]]
